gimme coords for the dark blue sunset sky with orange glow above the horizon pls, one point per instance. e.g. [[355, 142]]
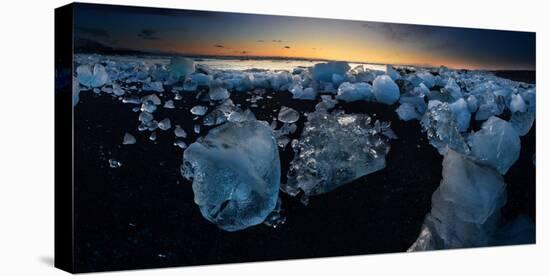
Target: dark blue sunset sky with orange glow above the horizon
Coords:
[[232, 34]]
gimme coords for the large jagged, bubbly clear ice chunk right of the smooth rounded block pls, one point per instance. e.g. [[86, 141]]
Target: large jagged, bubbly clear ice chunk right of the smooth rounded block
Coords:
[[335, 149]]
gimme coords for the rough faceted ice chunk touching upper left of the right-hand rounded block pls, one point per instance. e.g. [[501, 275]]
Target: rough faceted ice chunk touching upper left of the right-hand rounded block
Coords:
[[441, 128]]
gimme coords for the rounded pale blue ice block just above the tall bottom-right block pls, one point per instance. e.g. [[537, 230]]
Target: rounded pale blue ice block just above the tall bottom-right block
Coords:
[[496, 144]]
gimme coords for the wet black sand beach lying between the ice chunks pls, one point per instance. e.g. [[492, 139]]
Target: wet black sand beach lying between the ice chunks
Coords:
[[142, 215]]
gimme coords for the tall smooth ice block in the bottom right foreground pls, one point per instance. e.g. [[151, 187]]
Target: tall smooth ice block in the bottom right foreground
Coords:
[[465, 206]]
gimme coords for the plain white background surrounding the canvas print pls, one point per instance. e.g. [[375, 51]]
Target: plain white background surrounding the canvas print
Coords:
[[27, 140]]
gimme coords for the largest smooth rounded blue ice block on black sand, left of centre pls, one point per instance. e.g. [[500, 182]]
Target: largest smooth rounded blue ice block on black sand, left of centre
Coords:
[[236, 174]]
